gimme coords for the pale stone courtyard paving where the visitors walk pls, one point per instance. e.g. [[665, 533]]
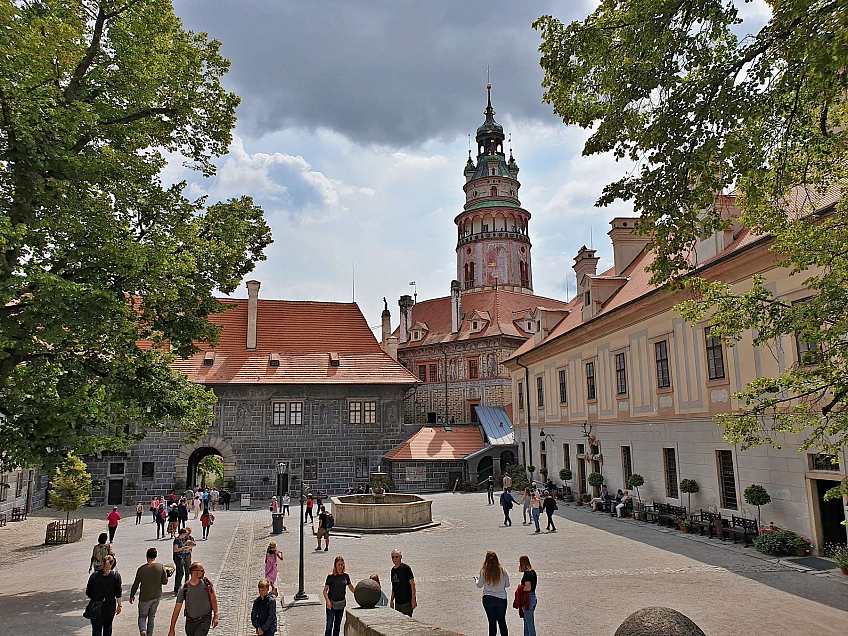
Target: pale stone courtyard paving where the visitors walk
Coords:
[[593, 573]]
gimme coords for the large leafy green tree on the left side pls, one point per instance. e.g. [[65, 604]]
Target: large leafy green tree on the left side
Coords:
[[92, 96]]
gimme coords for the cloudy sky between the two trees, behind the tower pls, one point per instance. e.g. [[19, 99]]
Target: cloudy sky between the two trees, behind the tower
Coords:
[[352, 135]]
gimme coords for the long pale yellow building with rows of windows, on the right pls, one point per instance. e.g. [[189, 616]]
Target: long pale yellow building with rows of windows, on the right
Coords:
[[618, 383]]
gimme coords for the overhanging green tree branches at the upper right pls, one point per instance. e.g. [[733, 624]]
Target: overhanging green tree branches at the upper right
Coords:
[[671, 88]]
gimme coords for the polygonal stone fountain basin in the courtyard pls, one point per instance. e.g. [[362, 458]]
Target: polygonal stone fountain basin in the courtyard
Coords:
[[390, 512]]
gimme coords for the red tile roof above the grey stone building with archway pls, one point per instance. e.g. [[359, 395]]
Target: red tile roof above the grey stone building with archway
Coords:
[[302, 333]]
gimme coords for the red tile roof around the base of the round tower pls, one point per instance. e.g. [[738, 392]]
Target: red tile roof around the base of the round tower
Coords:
[[503, 308]]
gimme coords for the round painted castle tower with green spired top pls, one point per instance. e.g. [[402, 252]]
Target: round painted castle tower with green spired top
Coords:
[[493, 246]]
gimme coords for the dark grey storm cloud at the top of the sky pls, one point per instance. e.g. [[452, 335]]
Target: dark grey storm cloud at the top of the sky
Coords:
[[395, 73]]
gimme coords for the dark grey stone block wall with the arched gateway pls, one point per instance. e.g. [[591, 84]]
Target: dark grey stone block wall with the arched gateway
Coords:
[[243, 432]]
